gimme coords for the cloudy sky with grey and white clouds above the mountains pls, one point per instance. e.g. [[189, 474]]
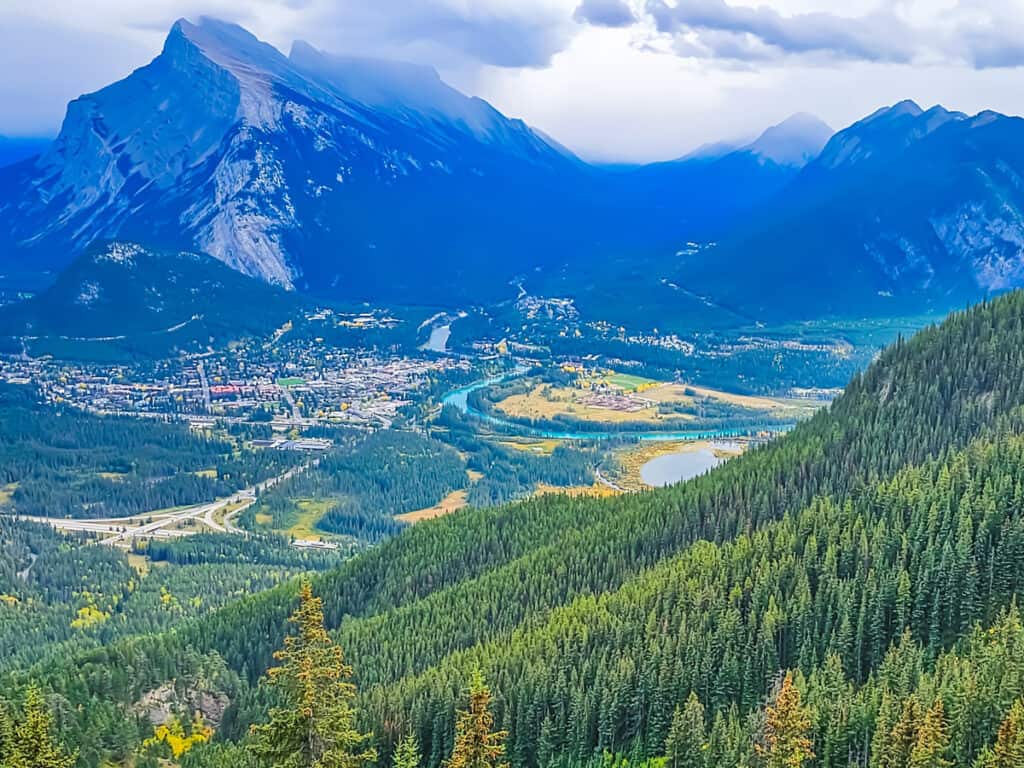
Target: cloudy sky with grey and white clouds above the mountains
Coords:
[[630, 80]]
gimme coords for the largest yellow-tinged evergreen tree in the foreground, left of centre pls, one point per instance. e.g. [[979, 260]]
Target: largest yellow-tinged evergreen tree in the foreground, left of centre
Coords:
[[315, 726]]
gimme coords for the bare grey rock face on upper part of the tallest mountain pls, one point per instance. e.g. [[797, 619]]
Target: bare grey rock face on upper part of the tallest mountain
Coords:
[[226, 146]]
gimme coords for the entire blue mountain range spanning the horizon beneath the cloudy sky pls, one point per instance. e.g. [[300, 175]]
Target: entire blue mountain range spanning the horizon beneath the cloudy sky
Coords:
[[364, 180]]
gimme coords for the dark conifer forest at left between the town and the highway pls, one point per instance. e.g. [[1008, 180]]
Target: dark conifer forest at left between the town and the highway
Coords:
[[62, 462]]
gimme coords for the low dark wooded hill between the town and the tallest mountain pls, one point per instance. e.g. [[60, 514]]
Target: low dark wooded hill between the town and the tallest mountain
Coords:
[[150, 302]]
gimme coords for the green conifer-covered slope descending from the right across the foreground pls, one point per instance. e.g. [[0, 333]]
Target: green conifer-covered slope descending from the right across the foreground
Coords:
[[876, 552]]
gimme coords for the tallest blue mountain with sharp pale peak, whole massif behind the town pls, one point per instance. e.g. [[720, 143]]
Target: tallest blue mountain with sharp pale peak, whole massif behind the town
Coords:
[[304, 172]]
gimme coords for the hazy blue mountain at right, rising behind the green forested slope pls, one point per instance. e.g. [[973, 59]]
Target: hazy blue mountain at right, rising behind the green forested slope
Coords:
[[907, 210]]
